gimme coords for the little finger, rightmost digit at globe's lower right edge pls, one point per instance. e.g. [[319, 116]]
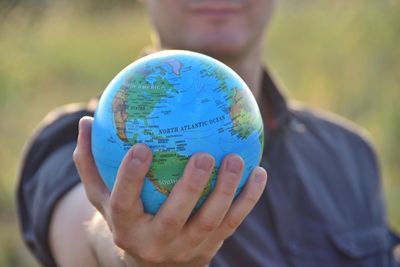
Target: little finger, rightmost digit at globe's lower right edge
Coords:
[[241, 206]]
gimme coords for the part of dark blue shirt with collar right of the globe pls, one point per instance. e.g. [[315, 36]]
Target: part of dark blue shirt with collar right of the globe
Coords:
[[323, 205]]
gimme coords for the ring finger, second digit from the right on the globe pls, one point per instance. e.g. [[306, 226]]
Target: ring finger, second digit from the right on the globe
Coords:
[[211, 214]]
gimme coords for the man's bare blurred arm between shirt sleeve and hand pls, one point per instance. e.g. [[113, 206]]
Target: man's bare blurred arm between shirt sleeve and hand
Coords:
[[79, 236]]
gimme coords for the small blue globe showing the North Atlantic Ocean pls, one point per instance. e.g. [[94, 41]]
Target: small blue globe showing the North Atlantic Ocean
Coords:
[[177, 103]]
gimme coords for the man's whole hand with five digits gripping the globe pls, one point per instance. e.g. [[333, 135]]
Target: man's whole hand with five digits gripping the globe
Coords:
[[171, 237]]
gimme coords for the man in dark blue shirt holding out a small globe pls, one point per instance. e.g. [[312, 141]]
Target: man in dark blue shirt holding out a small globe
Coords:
[[323, 206]]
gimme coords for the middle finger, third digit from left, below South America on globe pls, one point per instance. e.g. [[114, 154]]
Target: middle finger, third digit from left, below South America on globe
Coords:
[[174, 213]]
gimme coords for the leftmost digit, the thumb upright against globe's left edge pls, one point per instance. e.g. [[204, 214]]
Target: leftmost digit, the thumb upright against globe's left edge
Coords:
[[96, 191]]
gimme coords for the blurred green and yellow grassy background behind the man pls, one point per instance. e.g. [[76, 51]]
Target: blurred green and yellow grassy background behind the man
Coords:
[[342, 56]]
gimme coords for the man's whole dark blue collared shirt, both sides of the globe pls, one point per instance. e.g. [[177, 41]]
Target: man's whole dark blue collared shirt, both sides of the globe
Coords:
[[323, 205]]
